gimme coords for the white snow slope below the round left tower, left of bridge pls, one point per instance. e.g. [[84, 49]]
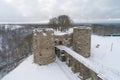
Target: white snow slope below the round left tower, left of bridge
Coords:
[[27, 70]]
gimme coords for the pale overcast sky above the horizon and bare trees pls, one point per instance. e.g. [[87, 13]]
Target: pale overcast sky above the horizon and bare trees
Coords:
[[43, 10]]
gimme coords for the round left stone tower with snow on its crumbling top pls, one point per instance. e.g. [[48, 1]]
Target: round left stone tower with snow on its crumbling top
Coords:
[[43, 46]]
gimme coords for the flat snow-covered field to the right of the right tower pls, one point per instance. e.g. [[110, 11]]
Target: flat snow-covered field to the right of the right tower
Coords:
[[108, 52]]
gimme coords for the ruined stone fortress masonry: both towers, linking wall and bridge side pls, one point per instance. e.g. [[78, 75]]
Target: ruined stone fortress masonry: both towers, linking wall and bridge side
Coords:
[[44, 43]]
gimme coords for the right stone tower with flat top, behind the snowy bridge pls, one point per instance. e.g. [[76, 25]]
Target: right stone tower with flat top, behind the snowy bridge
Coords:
[[82, 41]]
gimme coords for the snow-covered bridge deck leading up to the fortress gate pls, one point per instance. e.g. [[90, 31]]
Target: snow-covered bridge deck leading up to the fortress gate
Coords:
[[101, 71]]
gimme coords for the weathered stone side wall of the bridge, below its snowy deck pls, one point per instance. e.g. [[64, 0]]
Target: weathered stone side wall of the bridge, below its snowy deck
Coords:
[[76, 66]]
